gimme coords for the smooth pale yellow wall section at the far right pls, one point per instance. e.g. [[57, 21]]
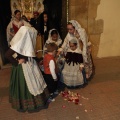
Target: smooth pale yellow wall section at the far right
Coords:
[[109, 46]]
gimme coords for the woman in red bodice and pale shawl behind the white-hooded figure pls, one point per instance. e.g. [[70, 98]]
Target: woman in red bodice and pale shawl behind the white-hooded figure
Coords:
[[14, 25]]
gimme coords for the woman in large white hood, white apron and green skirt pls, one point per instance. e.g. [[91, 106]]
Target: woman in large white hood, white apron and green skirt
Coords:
[[28, 90]]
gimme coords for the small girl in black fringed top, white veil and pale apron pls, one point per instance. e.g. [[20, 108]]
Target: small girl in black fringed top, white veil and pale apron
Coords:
[[73, 71]]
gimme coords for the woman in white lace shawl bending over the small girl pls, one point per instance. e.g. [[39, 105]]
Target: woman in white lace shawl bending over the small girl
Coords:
[[75, 30]]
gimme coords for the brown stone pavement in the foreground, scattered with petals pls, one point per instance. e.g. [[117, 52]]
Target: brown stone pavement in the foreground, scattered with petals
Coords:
[[99, 100]]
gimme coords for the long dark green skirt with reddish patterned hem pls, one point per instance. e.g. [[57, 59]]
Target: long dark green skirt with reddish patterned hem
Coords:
[[20, 97]]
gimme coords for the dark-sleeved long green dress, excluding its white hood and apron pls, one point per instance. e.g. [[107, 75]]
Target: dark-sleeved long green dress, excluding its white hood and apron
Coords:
[[19, 94]]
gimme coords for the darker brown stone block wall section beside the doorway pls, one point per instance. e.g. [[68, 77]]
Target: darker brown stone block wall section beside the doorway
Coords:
[[85, 11]]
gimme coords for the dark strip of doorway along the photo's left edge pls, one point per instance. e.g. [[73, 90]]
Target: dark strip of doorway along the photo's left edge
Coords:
[[5, 16]]
